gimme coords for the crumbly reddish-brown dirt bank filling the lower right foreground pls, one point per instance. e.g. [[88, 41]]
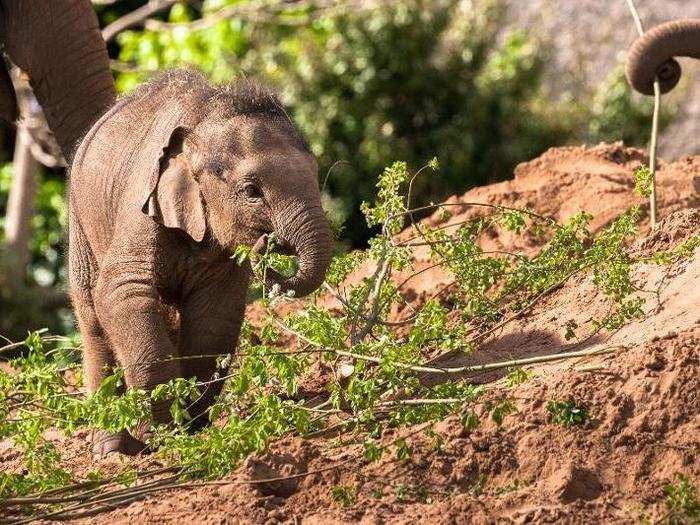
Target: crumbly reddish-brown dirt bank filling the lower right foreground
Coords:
[[611, 469]]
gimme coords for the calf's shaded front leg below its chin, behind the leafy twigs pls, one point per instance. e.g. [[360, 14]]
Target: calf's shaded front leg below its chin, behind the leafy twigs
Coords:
[[210, 322]]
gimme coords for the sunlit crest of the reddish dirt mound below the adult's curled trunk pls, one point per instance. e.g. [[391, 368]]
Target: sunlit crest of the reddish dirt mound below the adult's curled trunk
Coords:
[[598, 180]]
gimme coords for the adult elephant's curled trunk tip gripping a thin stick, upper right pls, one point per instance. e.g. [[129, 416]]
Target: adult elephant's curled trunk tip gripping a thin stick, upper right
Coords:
[[651, 55]]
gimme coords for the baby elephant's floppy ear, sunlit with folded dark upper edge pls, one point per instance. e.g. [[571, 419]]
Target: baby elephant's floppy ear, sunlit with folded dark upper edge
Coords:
[[176, 201]]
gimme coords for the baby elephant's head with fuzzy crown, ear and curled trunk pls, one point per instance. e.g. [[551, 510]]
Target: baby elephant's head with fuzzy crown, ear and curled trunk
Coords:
[[234, 170]]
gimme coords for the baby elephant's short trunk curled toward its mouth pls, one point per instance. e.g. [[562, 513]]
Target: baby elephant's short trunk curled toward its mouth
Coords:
[[308, 235]]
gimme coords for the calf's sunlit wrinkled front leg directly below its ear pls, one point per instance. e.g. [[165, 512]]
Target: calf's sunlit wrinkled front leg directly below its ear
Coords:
[[136, 322]]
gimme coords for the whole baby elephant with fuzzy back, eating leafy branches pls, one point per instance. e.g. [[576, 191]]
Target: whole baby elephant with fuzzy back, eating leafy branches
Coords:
[[163, 187]]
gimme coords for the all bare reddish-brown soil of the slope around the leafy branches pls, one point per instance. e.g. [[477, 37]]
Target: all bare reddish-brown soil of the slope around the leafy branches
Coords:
[[644, 399]]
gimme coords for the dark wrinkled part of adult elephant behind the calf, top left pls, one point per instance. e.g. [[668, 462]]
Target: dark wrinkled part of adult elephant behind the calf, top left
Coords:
[[58, 44]]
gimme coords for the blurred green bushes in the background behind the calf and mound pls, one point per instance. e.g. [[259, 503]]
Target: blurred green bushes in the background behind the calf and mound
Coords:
[[411, 80]]
